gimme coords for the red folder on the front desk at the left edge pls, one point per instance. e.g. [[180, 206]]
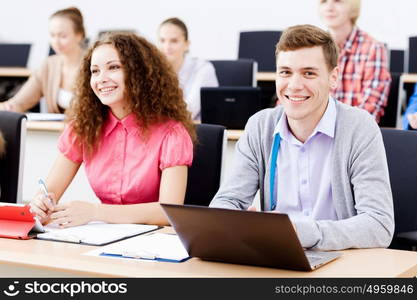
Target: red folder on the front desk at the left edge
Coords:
[[16, 221]]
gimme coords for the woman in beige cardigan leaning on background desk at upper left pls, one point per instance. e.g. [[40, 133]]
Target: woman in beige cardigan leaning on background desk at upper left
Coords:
[[55, 79]]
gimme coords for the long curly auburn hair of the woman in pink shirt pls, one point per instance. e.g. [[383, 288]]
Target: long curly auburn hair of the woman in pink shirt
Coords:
[[151, 89]]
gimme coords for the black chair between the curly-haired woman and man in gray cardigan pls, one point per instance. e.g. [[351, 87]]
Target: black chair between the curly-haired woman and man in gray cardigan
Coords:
[[205, 173]]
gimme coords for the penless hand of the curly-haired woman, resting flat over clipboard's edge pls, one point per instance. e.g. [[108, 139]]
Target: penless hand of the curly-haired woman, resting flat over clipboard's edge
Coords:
[[73, 213]]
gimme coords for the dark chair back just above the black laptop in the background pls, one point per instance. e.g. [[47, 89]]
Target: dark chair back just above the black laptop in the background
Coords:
[[240, 72]]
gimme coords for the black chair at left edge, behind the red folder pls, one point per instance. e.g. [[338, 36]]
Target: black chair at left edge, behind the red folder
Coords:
[[13, 127]]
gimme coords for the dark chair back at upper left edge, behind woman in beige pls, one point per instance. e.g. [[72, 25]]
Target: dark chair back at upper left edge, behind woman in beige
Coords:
[[14, 55]]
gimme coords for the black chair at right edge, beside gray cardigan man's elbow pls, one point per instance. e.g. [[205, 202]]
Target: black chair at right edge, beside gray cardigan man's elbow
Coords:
[[401, 149]]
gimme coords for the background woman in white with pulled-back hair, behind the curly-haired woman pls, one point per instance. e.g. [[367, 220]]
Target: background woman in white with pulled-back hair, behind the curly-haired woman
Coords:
[[193, 73]]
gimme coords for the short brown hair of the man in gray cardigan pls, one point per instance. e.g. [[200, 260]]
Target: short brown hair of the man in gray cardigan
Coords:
[[308, 36]]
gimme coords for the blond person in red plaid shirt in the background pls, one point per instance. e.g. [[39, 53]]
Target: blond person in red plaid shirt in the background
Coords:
[[364, 78]]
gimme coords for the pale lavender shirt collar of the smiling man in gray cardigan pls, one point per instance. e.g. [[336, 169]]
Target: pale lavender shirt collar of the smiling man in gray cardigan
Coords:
[[326, 125]]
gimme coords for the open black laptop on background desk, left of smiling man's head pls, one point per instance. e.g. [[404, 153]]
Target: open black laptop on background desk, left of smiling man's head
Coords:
[[229, 106]]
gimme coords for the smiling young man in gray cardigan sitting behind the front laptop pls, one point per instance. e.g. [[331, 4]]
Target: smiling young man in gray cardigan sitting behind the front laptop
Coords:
[[318, 160]]
